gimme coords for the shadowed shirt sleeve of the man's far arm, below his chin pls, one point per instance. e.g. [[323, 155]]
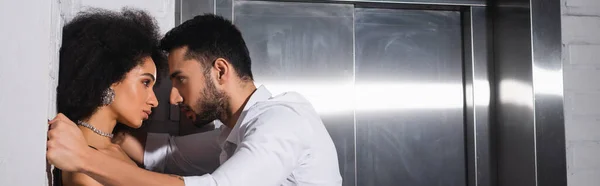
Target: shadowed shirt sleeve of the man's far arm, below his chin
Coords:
[[194, 154]]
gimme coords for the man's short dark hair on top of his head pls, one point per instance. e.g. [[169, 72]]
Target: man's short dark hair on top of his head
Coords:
[[209, 37]]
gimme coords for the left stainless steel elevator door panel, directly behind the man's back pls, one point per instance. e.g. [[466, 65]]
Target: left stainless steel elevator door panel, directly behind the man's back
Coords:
[[306, 48]]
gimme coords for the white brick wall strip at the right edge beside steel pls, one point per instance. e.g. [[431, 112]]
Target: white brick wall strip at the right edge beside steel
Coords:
[[581, 63]]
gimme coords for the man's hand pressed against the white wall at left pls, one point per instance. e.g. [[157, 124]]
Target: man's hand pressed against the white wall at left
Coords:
[[66, 146]]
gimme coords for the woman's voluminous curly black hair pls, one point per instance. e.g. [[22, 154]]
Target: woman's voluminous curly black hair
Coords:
[[98, 48]]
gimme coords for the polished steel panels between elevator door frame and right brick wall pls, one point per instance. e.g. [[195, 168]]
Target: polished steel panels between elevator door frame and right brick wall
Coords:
[[530, 119]]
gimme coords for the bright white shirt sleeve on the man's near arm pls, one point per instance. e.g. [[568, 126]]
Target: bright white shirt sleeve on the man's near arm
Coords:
[[270, 150]]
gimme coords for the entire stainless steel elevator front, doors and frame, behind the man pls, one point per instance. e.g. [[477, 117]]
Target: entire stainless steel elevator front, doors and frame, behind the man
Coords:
[[389, 84]]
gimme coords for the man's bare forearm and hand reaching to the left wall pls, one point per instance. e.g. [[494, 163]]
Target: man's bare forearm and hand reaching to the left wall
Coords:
[[67, 150]]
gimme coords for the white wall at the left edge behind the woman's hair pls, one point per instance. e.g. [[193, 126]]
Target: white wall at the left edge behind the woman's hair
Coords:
[[27, 49]]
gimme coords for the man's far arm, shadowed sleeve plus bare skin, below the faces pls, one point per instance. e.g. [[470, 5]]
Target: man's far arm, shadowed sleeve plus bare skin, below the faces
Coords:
[[193, 154]]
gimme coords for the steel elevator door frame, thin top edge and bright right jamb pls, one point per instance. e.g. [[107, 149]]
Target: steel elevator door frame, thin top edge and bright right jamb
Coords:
[[475, 69]]
